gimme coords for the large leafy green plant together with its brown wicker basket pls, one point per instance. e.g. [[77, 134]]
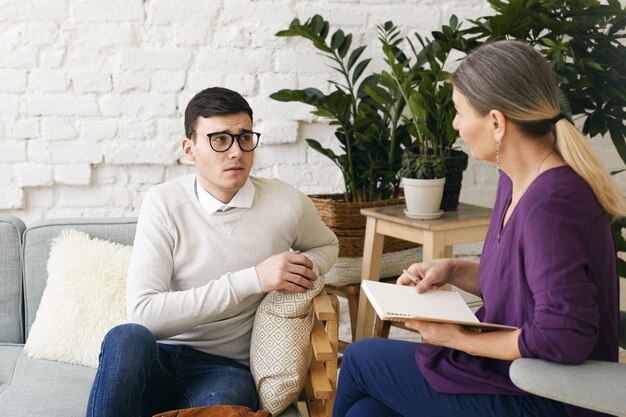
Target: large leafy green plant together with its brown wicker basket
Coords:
[[371, 136]]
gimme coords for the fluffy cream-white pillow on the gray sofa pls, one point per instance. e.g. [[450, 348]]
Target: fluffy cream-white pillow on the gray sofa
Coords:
[[83, 299]]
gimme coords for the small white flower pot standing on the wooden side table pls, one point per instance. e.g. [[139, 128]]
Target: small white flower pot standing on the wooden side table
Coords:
[[423, 197]]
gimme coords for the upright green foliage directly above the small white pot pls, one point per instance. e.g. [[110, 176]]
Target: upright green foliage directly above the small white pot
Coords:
[[421, 81]]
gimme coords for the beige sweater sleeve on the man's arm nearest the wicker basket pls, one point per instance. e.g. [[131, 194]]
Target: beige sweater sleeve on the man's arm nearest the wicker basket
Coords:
[[314, 238]]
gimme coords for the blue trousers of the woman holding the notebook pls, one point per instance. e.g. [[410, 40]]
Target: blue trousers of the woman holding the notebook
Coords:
[[380, 378]]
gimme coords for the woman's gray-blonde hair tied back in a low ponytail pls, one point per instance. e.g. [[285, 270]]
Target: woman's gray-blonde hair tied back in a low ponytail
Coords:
[[512, 77]]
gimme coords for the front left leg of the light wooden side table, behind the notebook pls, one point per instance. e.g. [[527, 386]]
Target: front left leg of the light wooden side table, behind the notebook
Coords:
[[372, 256]]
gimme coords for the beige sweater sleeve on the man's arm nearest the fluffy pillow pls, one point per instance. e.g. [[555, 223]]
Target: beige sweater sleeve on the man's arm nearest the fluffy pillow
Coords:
[[150, 300]]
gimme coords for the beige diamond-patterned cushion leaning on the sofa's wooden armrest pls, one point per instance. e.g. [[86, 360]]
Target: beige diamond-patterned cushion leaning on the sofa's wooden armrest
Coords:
[[280, 352]]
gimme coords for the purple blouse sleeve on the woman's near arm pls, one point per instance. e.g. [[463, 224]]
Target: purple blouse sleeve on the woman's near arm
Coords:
[[565, 321]]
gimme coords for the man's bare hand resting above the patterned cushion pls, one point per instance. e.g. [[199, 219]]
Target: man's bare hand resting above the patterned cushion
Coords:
[[286, 272]]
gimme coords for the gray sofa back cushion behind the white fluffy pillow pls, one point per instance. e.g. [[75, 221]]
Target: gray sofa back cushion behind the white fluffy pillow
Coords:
[[37, 240]]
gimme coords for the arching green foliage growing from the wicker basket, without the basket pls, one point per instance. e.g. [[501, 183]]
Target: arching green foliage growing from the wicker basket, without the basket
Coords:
[[362, 108]]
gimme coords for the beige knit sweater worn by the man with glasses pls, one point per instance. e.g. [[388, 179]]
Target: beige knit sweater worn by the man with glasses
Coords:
[[191, 278]]
